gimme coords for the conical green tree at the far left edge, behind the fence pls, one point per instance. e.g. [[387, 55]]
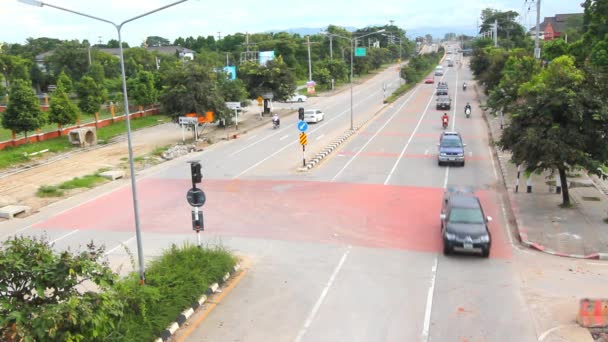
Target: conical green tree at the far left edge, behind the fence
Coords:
[[23, 112]]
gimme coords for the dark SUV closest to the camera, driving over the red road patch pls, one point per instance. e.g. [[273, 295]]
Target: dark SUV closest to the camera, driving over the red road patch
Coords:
[[464, 225]]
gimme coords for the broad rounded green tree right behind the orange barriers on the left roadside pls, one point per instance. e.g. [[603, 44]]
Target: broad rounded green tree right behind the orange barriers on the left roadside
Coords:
[[192, 88]]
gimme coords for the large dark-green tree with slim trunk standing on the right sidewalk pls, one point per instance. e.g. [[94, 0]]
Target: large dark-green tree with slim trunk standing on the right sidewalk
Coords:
[[552, 127]]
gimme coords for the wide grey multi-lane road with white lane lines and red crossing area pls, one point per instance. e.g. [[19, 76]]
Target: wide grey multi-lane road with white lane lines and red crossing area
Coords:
[[349, 251]]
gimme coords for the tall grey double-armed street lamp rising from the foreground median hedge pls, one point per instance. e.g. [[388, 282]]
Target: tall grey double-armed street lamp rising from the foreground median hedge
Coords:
[[140, 253]]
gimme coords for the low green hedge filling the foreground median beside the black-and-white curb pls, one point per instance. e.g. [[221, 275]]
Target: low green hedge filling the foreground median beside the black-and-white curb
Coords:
[[173, 282]]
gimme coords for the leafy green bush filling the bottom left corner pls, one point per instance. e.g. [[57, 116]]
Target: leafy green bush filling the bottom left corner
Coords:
[[42, 295]]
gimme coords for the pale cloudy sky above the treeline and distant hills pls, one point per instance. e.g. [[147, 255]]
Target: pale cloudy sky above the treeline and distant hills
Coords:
[[19, 21]]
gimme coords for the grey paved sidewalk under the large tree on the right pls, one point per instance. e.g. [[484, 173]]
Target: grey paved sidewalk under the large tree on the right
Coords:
[[542, 224]]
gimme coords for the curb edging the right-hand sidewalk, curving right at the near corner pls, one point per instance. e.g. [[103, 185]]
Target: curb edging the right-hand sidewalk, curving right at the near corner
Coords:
[[503, 159]]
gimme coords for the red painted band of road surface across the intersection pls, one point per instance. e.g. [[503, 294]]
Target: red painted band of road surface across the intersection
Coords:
[[368, 215]]
